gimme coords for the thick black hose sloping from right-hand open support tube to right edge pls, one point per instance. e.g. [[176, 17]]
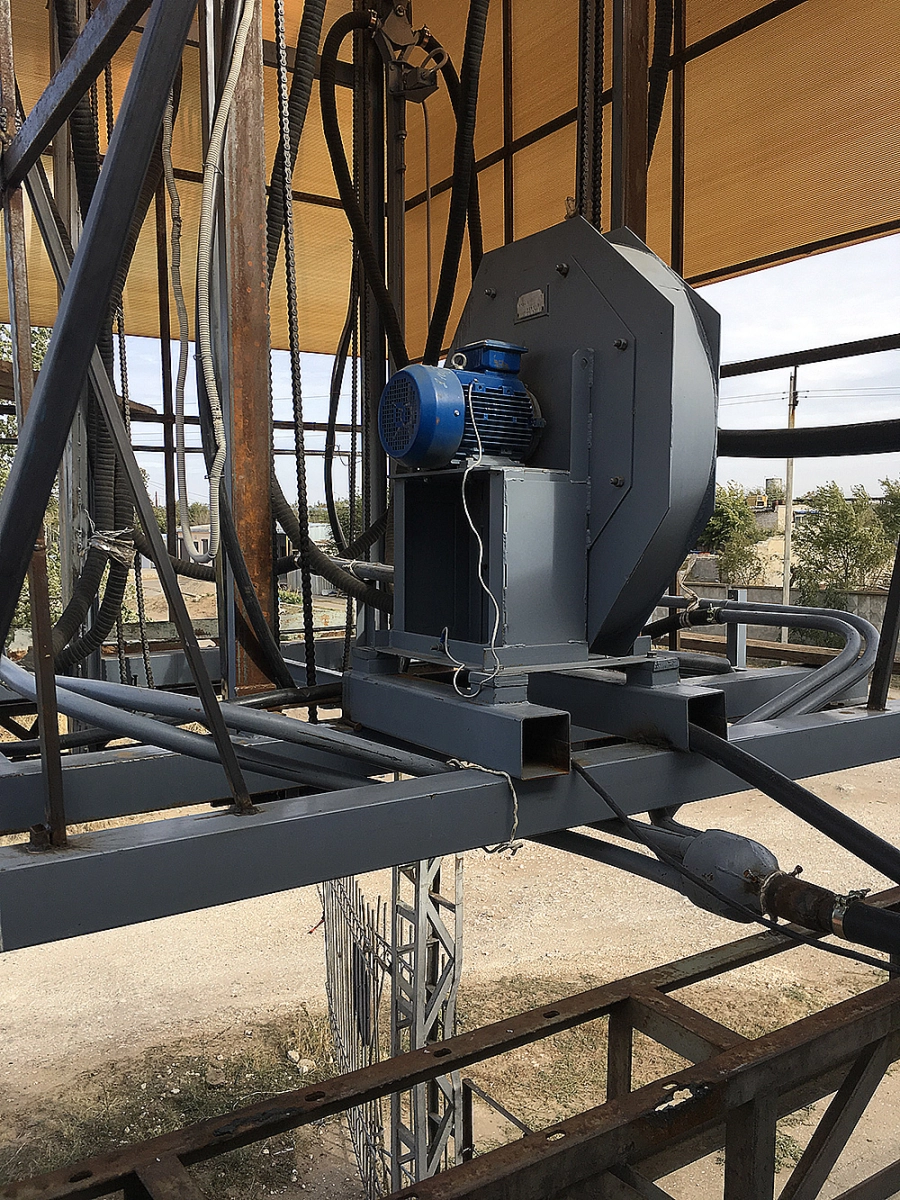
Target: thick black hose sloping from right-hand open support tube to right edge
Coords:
[[815, 812]]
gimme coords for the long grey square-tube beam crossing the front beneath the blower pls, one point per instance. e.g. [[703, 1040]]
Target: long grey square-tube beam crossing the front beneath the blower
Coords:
[[121, 877]]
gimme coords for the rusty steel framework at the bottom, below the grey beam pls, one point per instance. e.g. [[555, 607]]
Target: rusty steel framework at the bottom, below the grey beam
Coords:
[[730, 1096]]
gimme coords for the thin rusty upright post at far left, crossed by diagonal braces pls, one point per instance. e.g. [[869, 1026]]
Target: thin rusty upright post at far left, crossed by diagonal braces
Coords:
[[23, 387]]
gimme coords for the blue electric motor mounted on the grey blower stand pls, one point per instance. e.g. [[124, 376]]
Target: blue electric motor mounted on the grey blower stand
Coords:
[[428, 416]]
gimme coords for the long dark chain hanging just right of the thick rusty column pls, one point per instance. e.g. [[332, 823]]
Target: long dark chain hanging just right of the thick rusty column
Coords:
[[295, 345]]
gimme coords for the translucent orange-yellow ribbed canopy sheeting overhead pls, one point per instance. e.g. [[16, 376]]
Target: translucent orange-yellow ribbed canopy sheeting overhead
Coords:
[[791, 146]]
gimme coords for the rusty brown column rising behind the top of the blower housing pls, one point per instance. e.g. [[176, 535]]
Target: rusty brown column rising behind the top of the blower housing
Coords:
[[631, 39]]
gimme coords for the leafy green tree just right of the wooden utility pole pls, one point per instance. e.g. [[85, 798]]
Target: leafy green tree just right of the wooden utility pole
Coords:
[[842, 545]]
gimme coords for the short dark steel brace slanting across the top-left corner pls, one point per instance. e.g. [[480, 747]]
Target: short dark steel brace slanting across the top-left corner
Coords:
[[103, 35]]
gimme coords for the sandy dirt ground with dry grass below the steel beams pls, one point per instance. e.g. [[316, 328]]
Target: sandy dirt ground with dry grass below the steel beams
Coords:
[[195, 997]]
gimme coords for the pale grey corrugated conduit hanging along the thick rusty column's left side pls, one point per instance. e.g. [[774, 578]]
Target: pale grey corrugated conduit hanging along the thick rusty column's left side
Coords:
[[212, 169]]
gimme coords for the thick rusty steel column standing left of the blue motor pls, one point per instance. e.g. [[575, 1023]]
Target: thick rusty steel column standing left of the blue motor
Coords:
[[249, 410]]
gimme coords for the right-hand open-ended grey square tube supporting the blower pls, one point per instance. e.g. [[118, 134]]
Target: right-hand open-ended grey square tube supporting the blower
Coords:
[[611, 703]]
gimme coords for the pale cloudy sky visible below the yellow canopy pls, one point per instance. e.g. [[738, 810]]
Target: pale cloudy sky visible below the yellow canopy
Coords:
[[836, 297]]
